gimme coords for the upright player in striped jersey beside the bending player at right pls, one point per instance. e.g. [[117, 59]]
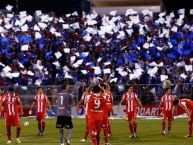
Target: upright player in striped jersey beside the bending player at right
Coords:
[[167, 103]]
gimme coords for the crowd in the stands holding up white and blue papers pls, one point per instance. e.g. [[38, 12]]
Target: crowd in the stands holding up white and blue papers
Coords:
[[141, 48]]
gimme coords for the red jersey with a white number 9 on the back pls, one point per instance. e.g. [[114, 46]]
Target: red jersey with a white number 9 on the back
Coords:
[[96, 105]]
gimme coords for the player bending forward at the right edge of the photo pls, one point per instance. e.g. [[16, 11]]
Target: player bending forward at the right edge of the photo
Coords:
[[187, 105]]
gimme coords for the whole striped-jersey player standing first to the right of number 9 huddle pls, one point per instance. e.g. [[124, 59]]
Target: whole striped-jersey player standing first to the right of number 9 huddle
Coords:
[[131, 100]]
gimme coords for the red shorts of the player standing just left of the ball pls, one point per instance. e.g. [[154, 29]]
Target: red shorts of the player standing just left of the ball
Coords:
[[12, 120]]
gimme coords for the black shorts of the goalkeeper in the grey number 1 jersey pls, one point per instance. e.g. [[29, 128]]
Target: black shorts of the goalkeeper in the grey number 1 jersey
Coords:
[[64, 122]]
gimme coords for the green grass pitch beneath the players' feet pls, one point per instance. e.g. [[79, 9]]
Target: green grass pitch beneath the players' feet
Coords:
[[149, 133]]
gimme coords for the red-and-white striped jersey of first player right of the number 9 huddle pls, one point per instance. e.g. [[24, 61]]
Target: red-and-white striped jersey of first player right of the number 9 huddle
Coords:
[[130, 101]]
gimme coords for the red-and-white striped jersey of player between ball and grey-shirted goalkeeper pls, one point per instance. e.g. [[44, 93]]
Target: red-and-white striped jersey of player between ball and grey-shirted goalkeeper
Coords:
[[41, 101]]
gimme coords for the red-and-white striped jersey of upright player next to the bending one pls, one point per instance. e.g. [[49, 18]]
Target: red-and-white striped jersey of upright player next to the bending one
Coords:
[[167, 101]]
